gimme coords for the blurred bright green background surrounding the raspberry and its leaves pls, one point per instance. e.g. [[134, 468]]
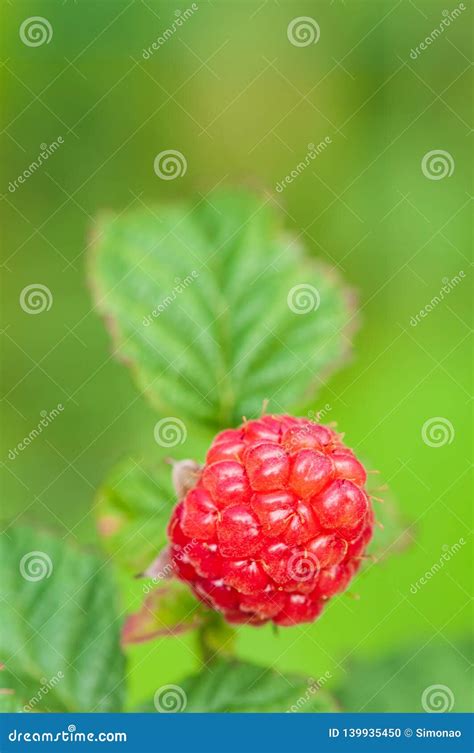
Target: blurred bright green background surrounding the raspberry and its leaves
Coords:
[[231, 93]]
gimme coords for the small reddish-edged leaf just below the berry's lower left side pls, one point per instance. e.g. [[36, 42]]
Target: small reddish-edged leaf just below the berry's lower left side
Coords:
[[169, 609]]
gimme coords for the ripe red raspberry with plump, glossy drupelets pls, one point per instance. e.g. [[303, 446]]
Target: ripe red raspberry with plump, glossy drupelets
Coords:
[[276, 523]]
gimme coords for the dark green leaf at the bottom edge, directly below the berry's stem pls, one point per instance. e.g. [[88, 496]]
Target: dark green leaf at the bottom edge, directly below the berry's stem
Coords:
[[234, 686]]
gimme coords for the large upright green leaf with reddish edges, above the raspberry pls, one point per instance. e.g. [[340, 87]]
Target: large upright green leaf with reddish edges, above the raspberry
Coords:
[[205, 304]]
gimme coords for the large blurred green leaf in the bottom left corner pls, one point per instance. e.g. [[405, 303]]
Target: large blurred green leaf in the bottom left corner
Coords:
[[60, 632]]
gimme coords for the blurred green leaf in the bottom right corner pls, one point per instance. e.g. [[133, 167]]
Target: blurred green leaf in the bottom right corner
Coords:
[[398, 683]]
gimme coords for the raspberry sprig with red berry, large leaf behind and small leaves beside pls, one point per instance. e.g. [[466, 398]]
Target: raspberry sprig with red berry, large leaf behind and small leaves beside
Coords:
[[277, 520]]
